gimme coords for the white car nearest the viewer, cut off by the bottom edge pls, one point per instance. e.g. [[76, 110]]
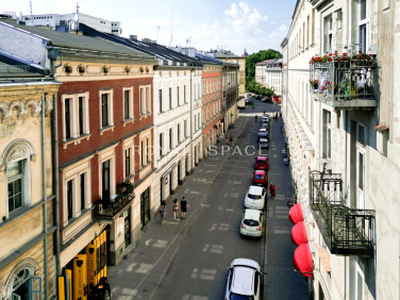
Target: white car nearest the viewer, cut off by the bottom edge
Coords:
[[245, 280]]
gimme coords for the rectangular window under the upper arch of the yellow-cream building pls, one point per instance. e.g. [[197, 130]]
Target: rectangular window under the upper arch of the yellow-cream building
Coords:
[[15, 185]]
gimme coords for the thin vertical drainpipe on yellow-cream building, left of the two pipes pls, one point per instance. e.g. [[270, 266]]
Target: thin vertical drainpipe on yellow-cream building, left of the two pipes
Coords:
[[44, 198]]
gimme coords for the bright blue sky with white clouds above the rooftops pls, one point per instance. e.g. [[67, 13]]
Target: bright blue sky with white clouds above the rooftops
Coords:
[[253, 25]]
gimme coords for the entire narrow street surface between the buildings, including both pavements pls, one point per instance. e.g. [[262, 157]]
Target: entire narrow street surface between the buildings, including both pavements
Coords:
[[187, 259]]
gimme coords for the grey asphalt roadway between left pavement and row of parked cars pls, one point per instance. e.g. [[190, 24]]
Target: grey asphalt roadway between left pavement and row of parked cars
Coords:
[[212, 240]]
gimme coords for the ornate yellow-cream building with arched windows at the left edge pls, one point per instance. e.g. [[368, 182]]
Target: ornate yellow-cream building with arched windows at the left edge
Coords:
[[27, 226]]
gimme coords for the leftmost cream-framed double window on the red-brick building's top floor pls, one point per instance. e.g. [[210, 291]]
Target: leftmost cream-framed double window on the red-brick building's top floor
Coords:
[[75, 111]]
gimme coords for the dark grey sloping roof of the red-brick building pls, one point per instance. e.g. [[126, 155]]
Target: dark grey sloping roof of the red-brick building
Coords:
[[73, 41]]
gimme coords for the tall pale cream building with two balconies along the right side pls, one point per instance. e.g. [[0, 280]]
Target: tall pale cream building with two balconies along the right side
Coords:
[[341, 123]]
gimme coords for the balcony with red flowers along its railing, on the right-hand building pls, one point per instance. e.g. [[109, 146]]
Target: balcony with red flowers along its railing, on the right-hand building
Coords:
[[344, 82]]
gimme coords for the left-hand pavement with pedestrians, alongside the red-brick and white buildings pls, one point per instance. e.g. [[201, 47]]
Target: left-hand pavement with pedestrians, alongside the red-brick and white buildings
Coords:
[[137, 277]]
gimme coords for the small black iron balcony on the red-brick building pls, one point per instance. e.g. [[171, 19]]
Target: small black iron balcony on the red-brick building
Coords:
[[108, 209]]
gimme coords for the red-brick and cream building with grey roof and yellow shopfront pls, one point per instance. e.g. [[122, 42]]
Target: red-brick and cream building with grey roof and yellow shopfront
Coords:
[[104, 146]]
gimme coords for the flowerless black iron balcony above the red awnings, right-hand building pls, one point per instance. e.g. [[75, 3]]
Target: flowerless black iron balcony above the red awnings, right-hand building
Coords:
[[346, 231]]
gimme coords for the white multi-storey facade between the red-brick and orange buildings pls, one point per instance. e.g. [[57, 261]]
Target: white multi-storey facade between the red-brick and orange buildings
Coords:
[[177, 127]]
